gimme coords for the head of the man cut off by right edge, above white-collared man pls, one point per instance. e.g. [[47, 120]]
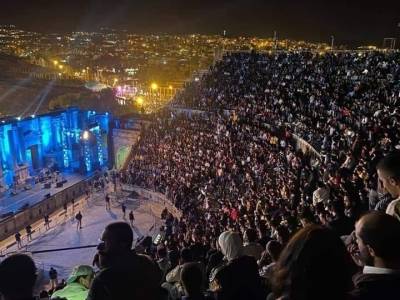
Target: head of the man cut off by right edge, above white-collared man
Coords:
[[388, 170]]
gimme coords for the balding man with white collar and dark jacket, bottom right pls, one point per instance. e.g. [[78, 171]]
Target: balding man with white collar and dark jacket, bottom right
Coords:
[[378, 239]]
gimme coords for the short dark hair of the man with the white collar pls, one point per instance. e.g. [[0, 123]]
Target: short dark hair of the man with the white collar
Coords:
[[381, 232]]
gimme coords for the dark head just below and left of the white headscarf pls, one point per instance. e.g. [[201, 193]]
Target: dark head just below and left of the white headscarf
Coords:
[[192, 279]]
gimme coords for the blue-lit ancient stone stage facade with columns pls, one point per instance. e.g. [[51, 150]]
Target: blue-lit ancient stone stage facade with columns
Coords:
[[70, 140]]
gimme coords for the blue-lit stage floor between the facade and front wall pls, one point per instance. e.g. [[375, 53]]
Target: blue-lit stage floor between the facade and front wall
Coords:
[[12, 203]]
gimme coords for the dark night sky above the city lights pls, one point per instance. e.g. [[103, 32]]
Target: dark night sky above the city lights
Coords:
[[349, 20]]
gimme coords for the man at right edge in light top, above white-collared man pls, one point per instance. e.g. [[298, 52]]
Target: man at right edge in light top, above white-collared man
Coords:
[[388, 170]]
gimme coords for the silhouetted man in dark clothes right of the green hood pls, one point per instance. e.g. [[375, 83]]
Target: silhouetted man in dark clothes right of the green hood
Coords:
[[124, 274]]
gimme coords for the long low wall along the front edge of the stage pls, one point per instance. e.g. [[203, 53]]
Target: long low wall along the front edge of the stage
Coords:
[[20, 220]]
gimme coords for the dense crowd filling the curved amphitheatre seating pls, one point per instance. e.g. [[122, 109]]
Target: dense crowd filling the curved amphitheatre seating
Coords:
[[263, 219]]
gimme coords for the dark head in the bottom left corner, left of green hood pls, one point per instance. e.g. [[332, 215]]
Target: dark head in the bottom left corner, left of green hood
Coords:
[[17, 277]]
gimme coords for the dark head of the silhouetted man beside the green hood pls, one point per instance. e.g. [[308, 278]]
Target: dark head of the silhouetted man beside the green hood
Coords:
[[117, 238]]
